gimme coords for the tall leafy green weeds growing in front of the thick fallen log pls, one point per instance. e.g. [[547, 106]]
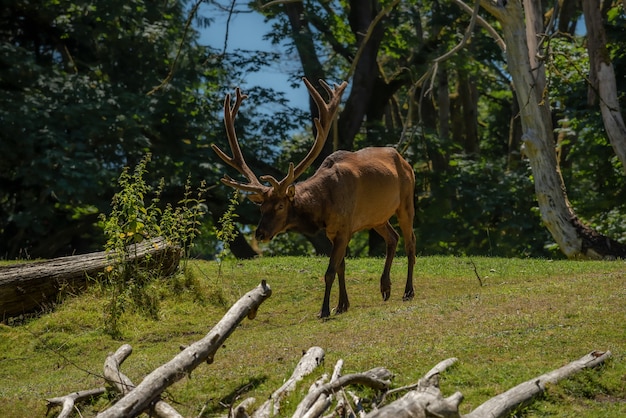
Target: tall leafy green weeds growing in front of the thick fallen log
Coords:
[[136, 217]]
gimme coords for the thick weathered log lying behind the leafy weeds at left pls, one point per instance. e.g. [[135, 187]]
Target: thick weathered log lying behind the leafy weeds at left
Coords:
[[30, 287]]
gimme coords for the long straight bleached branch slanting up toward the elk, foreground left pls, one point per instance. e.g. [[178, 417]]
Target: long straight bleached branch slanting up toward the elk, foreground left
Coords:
[[142, 396]]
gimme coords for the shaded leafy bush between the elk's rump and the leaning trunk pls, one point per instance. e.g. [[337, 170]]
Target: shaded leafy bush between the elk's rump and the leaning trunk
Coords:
[[483, 209]]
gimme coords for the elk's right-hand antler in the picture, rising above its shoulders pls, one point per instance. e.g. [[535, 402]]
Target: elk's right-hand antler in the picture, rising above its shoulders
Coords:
[[327, 113]]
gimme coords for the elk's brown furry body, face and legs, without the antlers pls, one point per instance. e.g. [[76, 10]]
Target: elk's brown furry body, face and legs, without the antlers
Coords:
[[350, 192]]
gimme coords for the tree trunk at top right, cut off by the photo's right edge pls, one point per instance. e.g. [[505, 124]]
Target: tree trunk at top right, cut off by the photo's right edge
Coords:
[[602, 77]]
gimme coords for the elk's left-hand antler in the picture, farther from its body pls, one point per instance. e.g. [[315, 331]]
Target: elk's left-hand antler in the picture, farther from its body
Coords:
[[237, 161]]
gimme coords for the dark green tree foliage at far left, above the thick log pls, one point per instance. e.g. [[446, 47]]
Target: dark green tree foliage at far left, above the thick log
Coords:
[[74, 111]]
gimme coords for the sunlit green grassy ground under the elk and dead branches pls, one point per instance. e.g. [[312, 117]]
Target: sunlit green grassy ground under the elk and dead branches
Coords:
[[528, 317]]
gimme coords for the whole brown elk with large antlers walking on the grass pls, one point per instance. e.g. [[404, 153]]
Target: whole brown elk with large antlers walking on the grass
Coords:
[[349, 192]]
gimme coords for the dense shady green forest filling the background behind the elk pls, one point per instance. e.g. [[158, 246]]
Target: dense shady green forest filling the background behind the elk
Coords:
[[90, 87]]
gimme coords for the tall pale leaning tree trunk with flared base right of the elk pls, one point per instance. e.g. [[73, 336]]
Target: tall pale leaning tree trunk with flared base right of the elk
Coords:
[[575, 239]]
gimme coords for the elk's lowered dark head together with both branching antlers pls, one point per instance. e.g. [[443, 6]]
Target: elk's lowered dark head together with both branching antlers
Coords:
[[276, 198]]
